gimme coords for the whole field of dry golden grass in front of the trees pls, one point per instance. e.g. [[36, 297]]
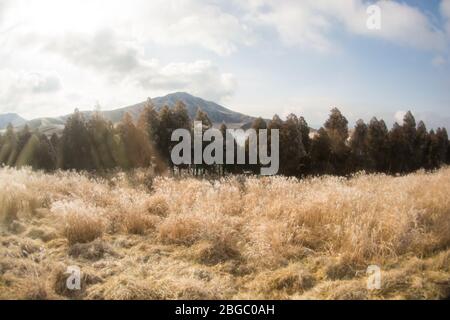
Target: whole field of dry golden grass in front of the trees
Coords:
[[235, 238]]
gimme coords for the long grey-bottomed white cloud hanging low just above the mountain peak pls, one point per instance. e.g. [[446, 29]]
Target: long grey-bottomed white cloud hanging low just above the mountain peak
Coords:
[[120, 61]]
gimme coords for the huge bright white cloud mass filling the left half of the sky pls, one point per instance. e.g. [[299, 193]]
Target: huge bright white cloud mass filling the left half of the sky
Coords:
[[100, 54]]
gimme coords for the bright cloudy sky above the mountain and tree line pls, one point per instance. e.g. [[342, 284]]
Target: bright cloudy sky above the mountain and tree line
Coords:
[[258, 57]]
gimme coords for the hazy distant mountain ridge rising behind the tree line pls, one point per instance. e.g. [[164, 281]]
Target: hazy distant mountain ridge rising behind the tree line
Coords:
[[217, 113]]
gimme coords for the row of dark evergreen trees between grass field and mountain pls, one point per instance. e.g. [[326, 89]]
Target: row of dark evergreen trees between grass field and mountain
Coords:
[[96, 144]]
